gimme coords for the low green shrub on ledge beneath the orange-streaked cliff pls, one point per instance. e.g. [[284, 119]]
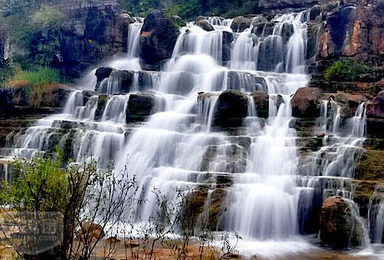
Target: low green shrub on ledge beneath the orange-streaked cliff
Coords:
[[345, 70]]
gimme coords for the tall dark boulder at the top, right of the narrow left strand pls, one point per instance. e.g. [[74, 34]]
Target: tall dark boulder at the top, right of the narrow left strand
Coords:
[[157, 39]]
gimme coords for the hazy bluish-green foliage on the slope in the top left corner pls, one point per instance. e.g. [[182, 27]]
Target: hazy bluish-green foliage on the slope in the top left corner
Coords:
[[36, 31]]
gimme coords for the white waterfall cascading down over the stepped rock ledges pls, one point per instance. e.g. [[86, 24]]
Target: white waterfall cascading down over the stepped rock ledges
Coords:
[[264, 197]]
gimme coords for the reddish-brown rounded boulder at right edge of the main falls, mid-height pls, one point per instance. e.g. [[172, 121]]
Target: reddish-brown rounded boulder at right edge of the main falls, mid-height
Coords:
[[306, 102]]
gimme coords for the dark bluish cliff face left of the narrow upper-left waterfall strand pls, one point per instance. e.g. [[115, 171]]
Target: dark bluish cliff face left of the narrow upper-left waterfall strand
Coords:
[[94, 30]]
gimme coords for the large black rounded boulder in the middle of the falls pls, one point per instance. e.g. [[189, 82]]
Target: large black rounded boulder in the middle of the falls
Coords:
[[231, 109]]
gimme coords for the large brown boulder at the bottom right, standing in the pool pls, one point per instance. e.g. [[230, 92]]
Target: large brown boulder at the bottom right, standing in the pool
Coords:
[[338, 228]]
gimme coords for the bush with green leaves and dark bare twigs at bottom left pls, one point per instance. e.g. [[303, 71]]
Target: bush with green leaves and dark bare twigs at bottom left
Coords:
[[93, 202]]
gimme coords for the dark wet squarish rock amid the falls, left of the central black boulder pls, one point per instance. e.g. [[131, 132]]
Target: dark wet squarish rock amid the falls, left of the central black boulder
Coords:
[[140, 106]]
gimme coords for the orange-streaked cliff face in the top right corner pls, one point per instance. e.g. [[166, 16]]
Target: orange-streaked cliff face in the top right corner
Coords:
[[354, 30]]
